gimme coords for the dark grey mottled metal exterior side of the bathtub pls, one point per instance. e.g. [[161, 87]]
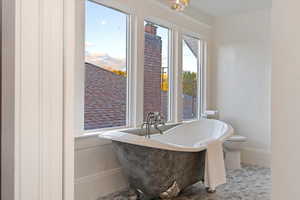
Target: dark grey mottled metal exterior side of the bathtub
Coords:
[[153, 170]]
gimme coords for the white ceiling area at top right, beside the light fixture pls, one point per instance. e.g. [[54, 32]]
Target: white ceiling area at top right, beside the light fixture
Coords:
[[228, 7]]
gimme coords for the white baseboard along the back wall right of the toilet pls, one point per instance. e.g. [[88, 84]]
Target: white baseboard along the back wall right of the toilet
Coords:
[[258, 157]]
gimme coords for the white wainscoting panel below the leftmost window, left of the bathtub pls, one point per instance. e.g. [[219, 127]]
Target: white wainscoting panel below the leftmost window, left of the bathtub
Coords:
[[97, 170]]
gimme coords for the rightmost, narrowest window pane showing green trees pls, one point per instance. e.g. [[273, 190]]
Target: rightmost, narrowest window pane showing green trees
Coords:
[[190, 77]]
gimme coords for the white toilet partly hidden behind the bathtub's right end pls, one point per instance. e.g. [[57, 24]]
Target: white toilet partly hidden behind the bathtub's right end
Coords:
[[232, 150]]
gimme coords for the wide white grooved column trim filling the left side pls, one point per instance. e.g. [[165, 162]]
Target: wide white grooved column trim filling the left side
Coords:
[[33, 96]]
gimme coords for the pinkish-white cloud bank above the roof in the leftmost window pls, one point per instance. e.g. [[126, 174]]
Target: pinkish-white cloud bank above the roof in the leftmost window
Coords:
[[106, 61]]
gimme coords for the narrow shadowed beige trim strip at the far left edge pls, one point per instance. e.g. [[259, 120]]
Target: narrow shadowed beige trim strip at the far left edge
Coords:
[[9, 130]]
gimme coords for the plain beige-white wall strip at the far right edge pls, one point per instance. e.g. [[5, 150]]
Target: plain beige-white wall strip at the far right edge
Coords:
[[285, 99]]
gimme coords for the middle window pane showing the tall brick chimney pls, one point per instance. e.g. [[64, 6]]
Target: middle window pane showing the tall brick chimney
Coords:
[[156, 69]]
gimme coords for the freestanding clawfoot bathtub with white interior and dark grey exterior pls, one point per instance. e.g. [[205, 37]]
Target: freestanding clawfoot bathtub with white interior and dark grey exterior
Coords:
[[154, 164]]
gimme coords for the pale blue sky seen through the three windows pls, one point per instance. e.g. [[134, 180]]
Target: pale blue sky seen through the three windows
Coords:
[[105, 39]]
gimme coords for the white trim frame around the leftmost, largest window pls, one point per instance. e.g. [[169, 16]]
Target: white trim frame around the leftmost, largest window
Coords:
[[130, 63]]
